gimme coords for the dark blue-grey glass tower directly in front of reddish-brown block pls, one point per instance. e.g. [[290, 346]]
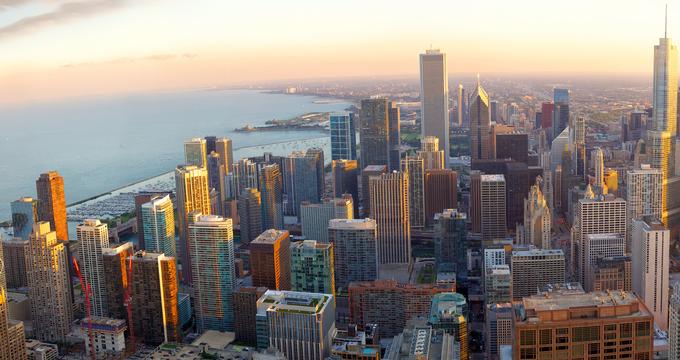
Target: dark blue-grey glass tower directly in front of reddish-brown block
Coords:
[[450, 239]]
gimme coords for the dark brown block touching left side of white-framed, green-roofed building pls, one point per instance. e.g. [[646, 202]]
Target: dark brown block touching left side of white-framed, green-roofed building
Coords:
[[245, 311]]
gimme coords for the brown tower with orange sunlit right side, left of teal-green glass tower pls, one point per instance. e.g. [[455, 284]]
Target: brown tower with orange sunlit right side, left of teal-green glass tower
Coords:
[[270, 260]]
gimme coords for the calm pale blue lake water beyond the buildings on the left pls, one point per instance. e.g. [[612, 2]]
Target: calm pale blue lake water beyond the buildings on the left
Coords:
[[101, 144]]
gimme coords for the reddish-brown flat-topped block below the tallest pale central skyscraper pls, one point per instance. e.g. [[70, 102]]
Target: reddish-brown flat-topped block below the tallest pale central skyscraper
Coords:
[[441, 192]]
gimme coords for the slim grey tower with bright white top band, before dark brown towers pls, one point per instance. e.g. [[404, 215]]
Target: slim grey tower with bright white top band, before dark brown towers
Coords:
[[492, 207]]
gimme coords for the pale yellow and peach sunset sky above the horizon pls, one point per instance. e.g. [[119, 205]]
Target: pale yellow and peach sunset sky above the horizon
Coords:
[[52, 49]]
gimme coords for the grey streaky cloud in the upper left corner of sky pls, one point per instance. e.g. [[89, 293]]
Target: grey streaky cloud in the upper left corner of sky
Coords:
[[65, 12]]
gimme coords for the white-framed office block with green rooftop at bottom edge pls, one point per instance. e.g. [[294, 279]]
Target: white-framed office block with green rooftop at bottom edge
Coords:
[[299, 324]]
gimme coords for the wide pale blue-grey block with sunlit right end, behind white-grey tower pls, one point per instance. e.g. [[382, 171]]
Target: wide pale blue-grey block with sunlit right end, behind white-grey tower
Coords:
[[314, 218]]
